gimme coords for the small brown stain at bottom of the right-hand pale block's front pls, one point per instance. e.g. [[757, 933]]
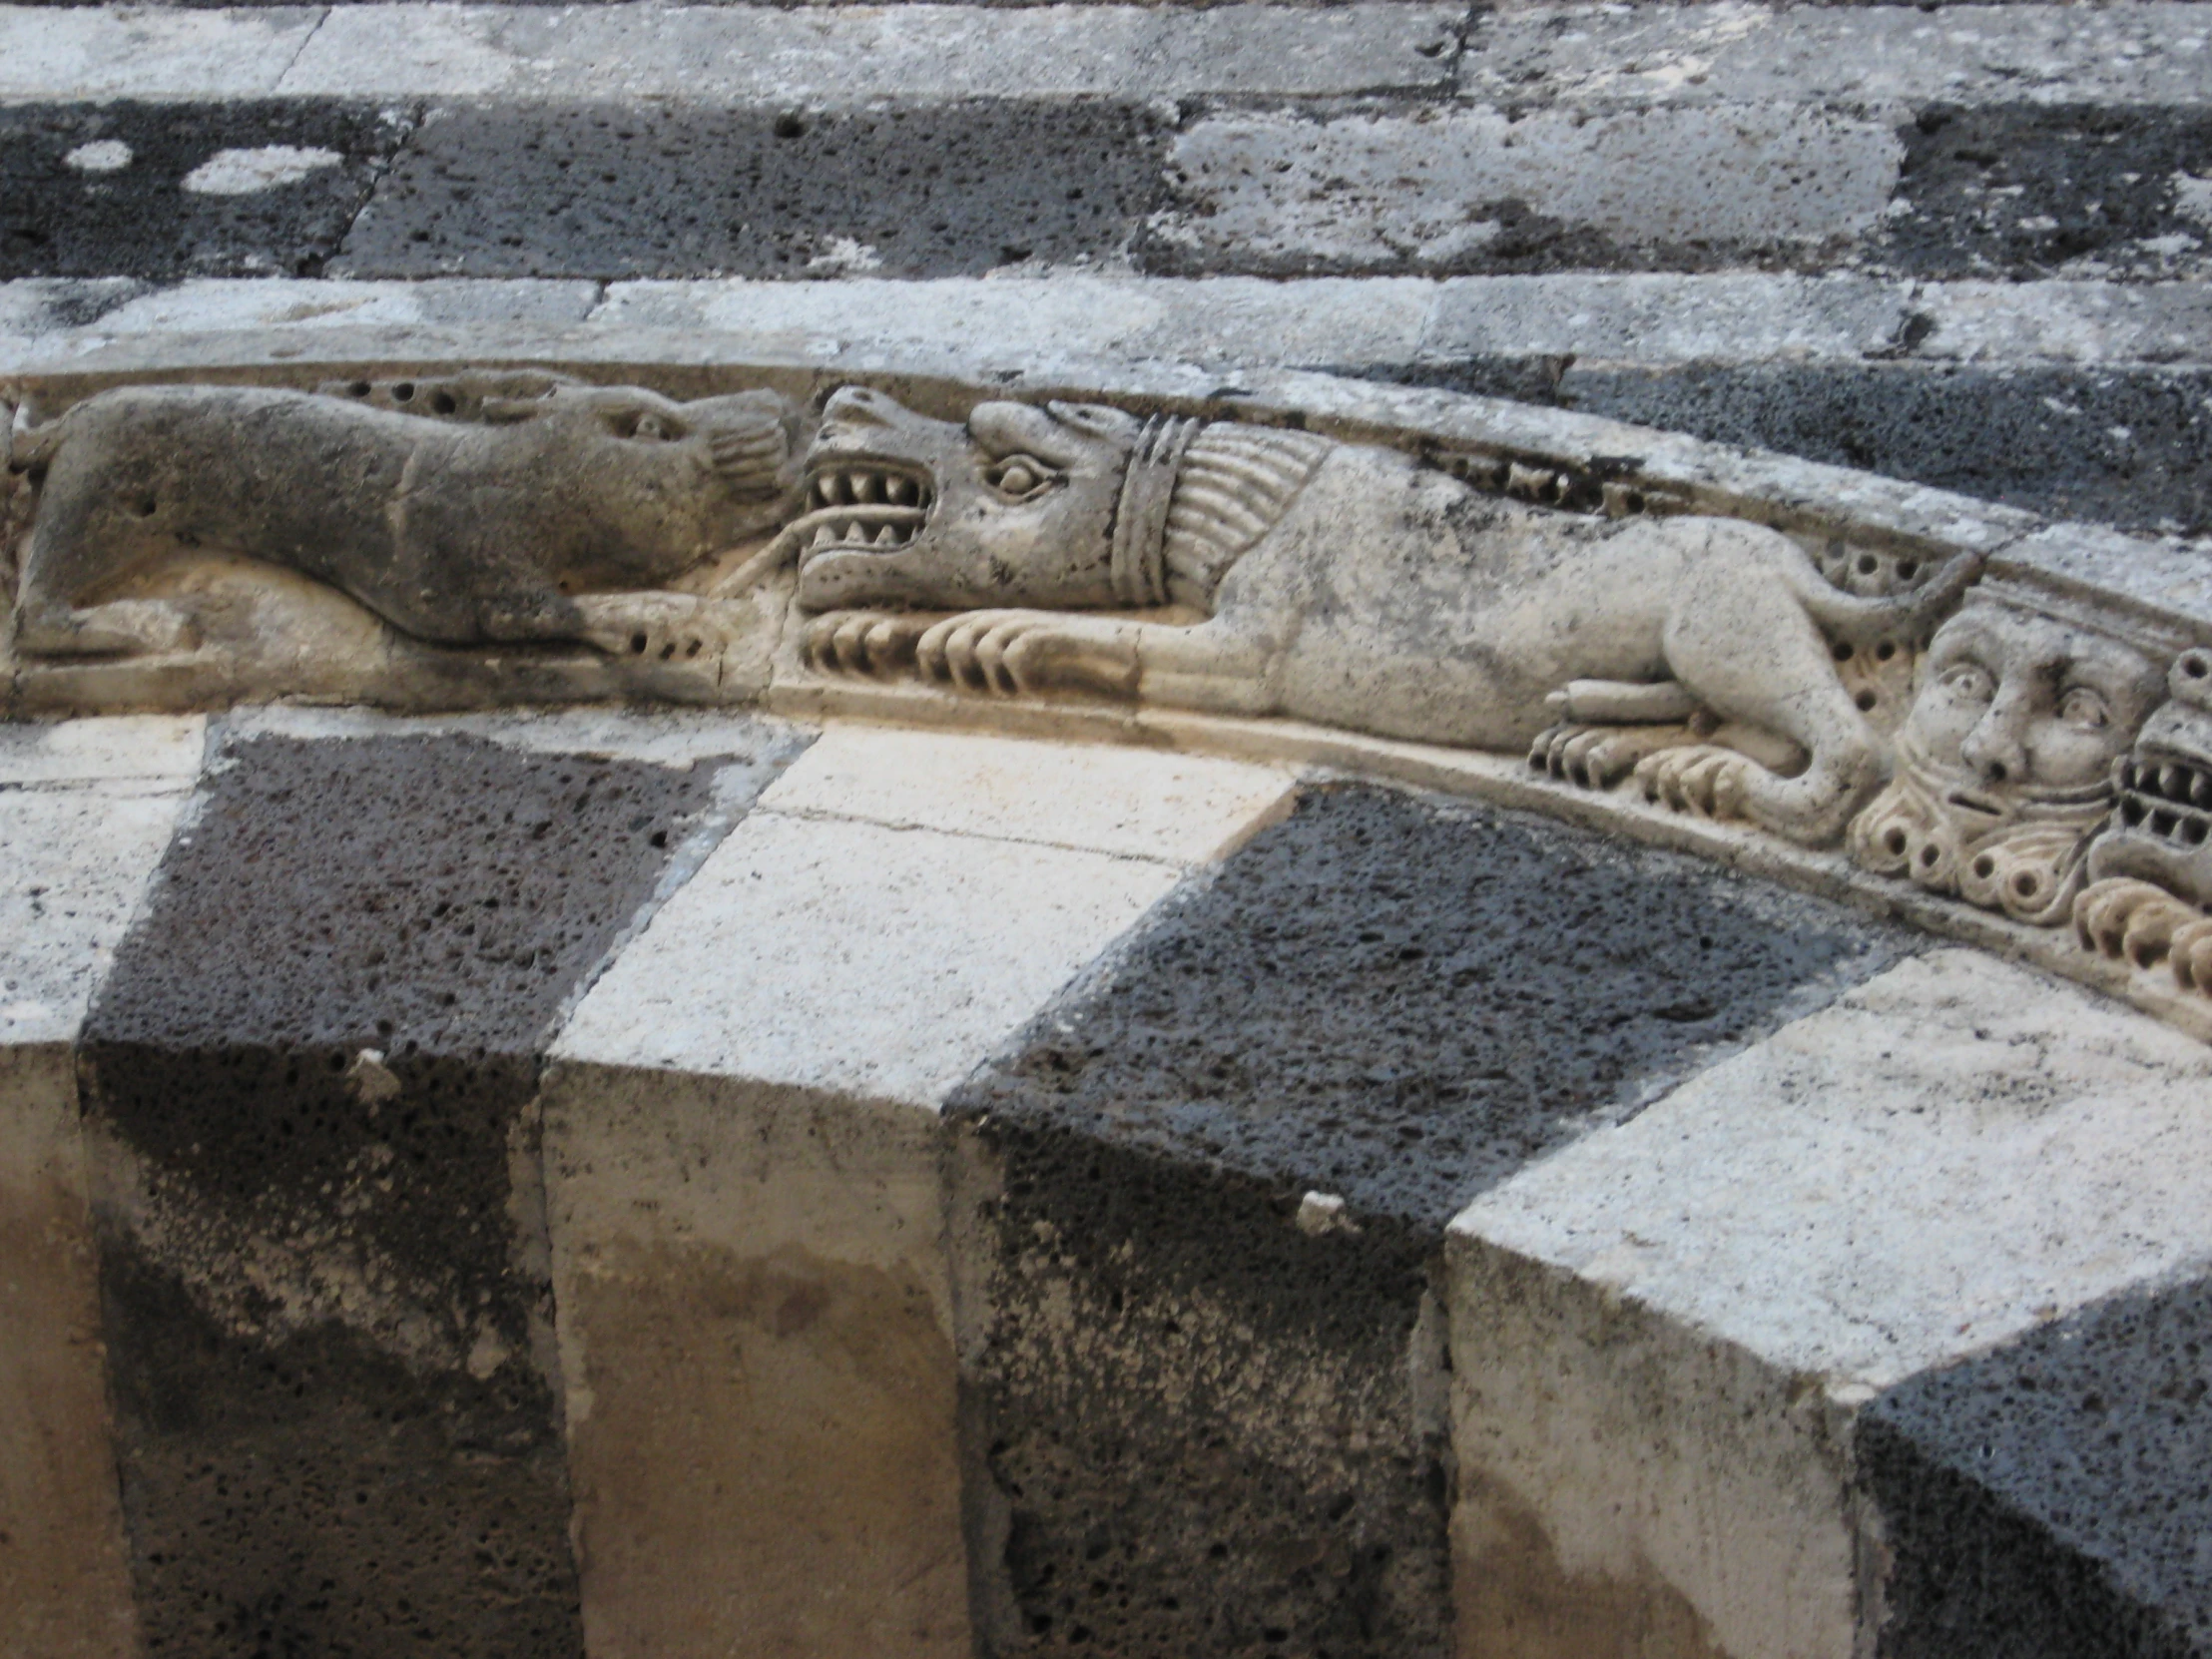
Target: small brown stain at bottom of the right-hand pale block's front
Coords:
[[1516, 1600]]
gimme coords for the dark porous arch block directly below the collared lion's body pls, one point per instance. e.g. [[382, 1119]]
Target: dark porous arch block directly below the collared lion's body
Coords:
[[1196, 1426]]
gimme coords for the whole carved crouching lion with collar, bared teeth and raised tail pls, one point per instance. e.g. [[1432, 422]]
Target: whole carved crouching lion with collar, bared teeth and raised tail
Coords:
[[1335, 583]]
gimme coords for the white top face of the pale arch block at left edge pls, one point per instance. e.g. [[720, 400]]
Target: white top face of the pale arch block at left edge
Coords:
[[85, 813]]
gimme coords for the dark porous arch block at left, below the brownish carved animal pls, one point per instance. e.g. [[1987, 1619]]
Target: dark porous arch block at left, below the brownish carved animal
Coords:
[[326, 1293]]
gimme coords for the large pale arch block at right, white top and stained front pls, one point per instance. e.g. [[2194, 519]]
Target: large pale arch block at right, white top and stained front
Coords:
[[1665, 1331]]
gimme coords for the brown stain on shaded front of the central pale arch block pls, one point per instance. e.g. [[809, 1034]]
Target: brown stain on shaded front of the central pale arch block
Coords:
[[740, 1401]]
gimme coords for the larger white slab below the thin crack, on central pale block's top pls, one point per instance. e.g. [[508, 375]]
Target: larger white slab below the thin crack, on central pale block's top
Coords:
[[848, 957]]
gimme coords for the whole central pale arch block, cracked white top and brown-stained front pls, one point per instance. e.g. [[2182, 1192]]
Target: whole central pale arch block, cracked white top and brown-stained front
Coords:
[[742, 1176]]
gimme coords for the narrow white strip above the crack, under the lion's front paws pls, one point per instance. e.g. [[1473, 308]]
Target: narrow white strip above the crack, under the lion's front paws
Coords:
[[1131, 804]]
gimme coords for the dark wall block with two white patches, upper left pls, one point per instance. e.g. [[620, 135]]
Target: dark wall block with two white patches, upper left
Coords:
[[143, 222]]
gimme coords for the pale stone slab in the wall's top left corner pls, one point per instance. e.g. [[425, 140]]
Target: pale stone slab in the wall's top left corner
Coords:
[[85, 54]]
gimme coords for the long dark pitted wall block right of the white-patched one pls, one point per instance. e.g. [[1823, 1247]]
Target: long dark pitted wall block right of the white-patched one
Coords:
[[689, 191]]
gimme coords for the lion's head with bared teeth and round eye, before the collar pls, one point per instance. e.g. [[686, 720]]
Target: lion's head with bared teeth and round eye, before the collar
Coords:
[[1014, 508]]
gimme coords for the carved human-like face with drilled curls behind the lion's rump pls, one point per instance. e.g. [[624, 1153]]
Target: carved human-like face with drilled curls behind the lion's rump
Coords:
[[2005, 764]]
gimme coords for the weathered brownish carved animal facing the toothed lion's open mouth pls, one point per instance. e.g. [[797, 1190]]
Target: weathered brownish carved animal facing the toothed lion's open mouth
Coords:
[[545, 519]]
